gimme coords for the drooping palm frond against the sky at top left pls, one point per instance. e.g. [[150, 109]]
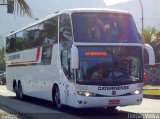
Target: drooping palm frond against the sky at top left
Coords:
[[21, 7]]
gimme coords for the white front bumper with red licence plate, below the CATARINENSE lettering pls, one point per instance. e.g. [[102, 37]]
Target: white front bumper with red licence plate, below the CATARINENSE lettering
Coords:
[[88, 102]]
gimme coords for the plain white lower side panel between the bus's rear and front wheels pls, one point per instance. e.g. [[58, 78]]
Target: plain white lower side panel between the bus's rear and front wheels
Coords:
[[37, 80]]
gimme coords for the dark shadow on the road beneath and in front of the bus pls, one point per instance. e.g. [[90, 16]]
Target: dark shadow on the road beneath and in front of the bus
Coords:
[[89, 113]]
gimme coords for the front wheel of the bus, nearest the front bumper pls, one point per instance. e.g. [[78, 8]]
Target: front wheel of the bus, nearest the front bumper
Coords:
[[57, 98]]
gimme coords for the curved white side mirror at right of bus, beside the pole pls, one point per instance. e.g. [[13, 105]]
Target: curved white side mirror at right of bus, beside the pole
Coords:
[[149, 56]]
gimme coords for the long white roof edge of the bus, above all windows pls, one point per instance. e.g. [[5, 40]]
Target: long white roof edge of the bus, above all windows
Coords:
[[70, 11]]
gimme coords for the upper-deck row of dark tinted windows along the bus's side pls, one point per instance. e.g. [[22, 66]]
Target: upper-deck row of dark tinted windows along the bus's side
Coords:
[[44, 33]]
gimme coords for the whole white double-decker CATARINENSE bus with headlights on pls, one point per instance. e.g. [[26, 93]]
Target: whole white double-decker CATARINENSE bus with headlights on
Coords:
[[82, 58]]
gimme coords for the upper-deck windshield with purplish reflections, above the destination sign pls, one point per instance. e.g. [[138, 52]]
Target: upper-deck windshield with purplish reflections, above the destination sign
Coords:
[[104, 28]]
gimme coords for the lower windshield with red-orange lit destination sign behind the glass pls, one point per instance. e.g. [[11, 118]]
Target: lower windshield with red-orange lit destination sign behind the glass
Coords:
[[110, 65]]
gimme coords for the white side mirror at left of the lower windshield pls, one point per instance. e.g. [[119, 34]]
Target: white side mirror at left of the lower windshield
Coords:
[[74, 57]]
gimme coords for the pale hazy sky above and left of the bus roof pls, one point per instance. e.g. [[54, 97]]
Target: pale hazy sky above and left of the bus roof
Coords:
[[11, 22]]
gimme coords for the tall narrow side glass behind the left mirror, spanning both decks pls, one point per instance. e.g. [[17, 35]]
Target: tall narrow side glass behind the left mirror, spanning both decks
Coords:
[[65, 39]]
